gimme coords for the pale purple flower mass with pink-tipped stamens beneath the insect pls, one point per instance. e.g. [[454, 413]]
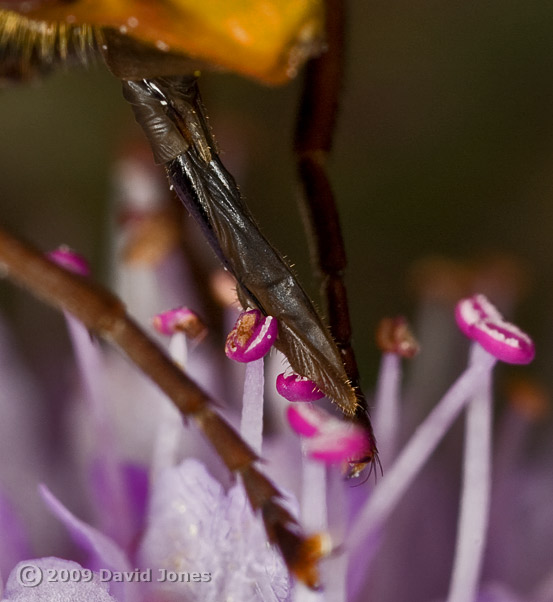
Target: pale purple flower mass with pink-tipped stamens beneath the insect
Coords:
[[149, 513]]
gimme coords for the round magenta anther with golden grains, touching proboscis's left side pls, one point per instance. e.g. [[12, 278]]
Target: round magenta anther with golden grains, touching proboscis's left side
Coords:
[[252, 336]]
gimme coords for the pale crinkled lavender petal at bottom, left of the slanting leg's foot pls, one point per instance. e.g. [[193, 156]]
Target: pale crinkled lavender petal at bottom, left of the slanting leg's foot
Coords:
[[194, 526]]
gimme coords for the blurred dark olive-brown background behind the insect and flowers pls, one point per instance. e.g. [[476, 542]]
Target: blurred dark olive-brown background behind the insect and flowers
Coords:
[[444, 146]]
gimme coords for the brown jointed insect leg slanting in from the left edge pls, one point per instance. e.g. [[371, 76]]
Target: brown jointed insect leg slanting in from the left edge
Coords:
[[104, 314]]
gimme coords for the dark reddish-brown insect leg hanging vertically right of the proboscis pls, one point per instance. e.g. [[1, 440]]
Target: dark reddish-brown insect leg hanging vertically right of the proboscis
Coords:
[[313, 141]]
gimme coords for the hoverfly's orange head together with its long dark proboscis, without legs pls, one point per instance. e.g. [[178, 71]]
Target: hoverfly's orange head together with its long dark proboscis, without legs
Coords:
[[156, 49]]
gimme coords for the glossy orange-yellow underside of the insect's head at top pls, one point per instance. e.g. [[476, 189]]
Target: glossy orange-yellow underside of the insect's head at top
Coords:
[[267, 40]]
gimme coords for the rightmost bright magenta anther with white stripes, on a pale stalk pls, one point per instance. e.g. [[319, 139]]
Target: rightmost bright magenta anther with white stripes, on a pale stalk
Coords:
[[479, 320]]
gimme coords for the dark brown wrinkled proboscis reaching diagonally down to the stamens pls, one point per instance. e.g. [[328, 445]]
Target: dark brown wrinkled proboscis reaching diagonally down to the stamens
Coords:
[[171, 113]]
